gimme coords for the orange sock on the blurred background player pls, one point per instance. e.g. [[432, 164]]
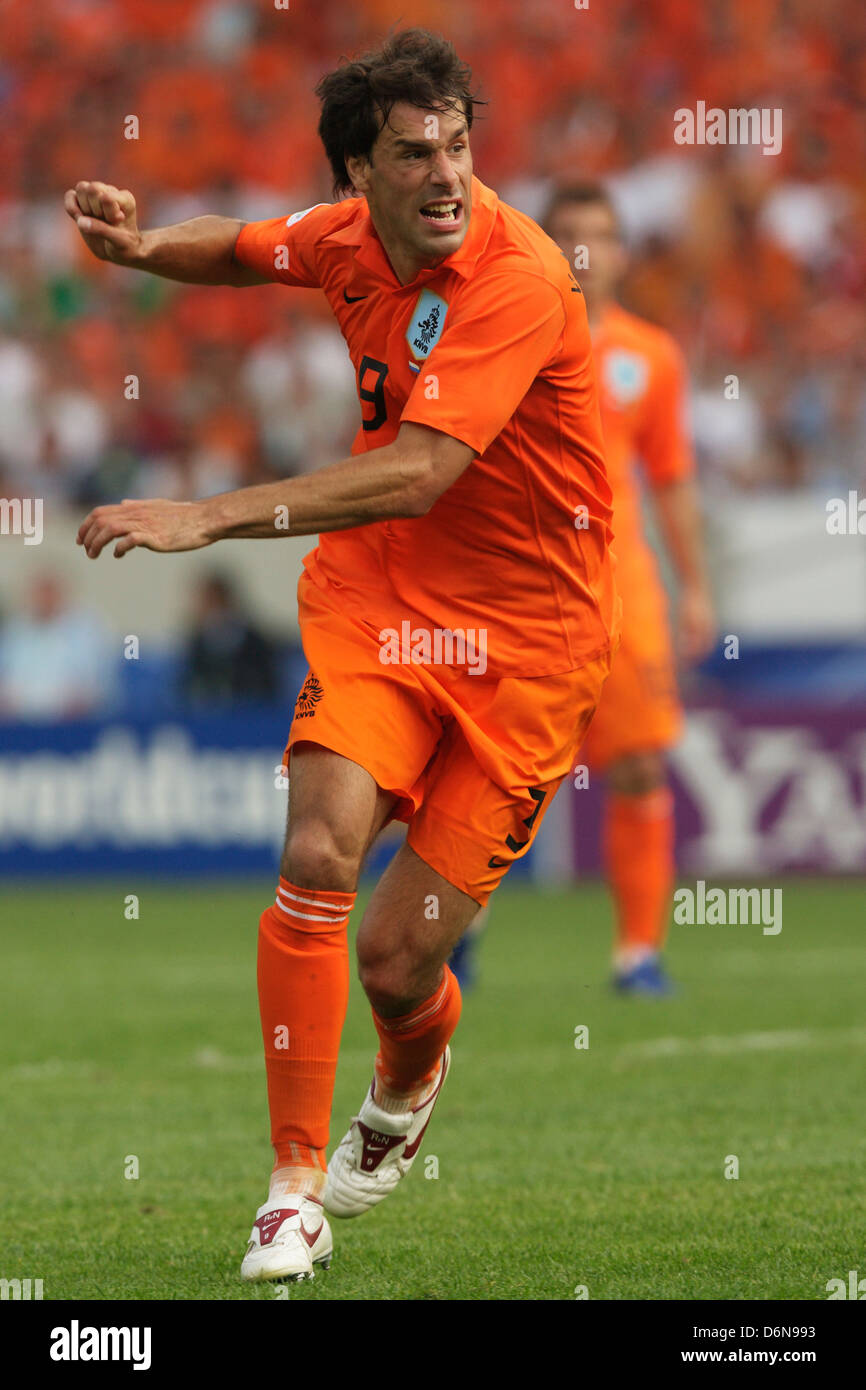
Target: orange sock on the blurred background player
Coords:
[[640, 861]]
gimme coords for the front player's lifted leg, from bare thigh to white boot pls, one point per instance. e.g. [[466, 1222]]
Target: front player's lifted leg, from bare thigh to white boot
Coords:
[[411, 926]]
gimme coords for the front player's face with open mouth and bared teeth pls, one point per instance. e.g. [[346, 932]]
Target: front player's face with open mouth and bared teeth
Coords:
[[419, 187]]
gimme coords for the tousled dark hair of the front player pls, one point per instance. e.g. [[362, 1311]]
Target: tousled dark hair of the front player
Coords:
[[414, 66]]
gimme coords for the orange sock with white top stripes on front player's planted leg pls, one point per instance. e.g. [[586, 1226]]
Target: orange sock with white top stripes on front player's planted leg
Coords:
[[304, 989]]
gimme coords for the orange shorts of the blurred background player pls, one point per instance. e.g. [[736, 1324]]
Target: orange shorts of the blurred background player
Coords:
[[640, 710]]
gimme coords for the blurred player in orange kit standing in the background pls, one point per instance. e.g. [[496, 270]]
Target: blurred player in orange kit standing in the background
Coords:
[[642, 390]]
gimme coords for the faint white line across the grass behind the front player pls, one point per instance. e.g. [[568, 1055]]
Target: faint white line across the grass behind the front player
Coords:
[[212, 1060]]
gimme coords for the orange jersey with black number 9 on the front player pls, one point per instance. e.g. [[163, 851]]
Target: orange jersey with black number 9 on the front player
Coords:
[[493, 348]]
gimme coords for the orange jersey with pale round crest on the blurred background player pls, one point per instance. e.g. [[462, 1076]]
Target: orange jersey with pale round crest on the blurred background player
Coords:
[[642, 380]]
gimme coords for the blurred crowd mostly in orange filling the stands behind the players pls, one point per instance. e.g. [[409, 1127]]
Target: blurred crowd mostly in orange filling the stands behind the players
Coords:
[[115, 384]]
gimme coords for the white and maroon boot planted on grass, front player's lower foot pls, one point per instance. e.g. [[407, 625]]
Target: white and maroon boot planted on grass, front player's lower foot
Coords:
[[288, 1241]]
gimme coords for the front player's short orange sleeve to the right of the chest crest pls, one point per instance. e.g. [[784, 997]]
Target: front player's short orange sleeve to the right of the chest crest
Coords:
[[503, 333]]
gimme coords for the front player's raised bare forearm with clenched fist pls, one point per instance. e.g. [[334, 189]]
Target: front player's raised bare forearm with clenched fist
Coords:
[[199, 252]]
